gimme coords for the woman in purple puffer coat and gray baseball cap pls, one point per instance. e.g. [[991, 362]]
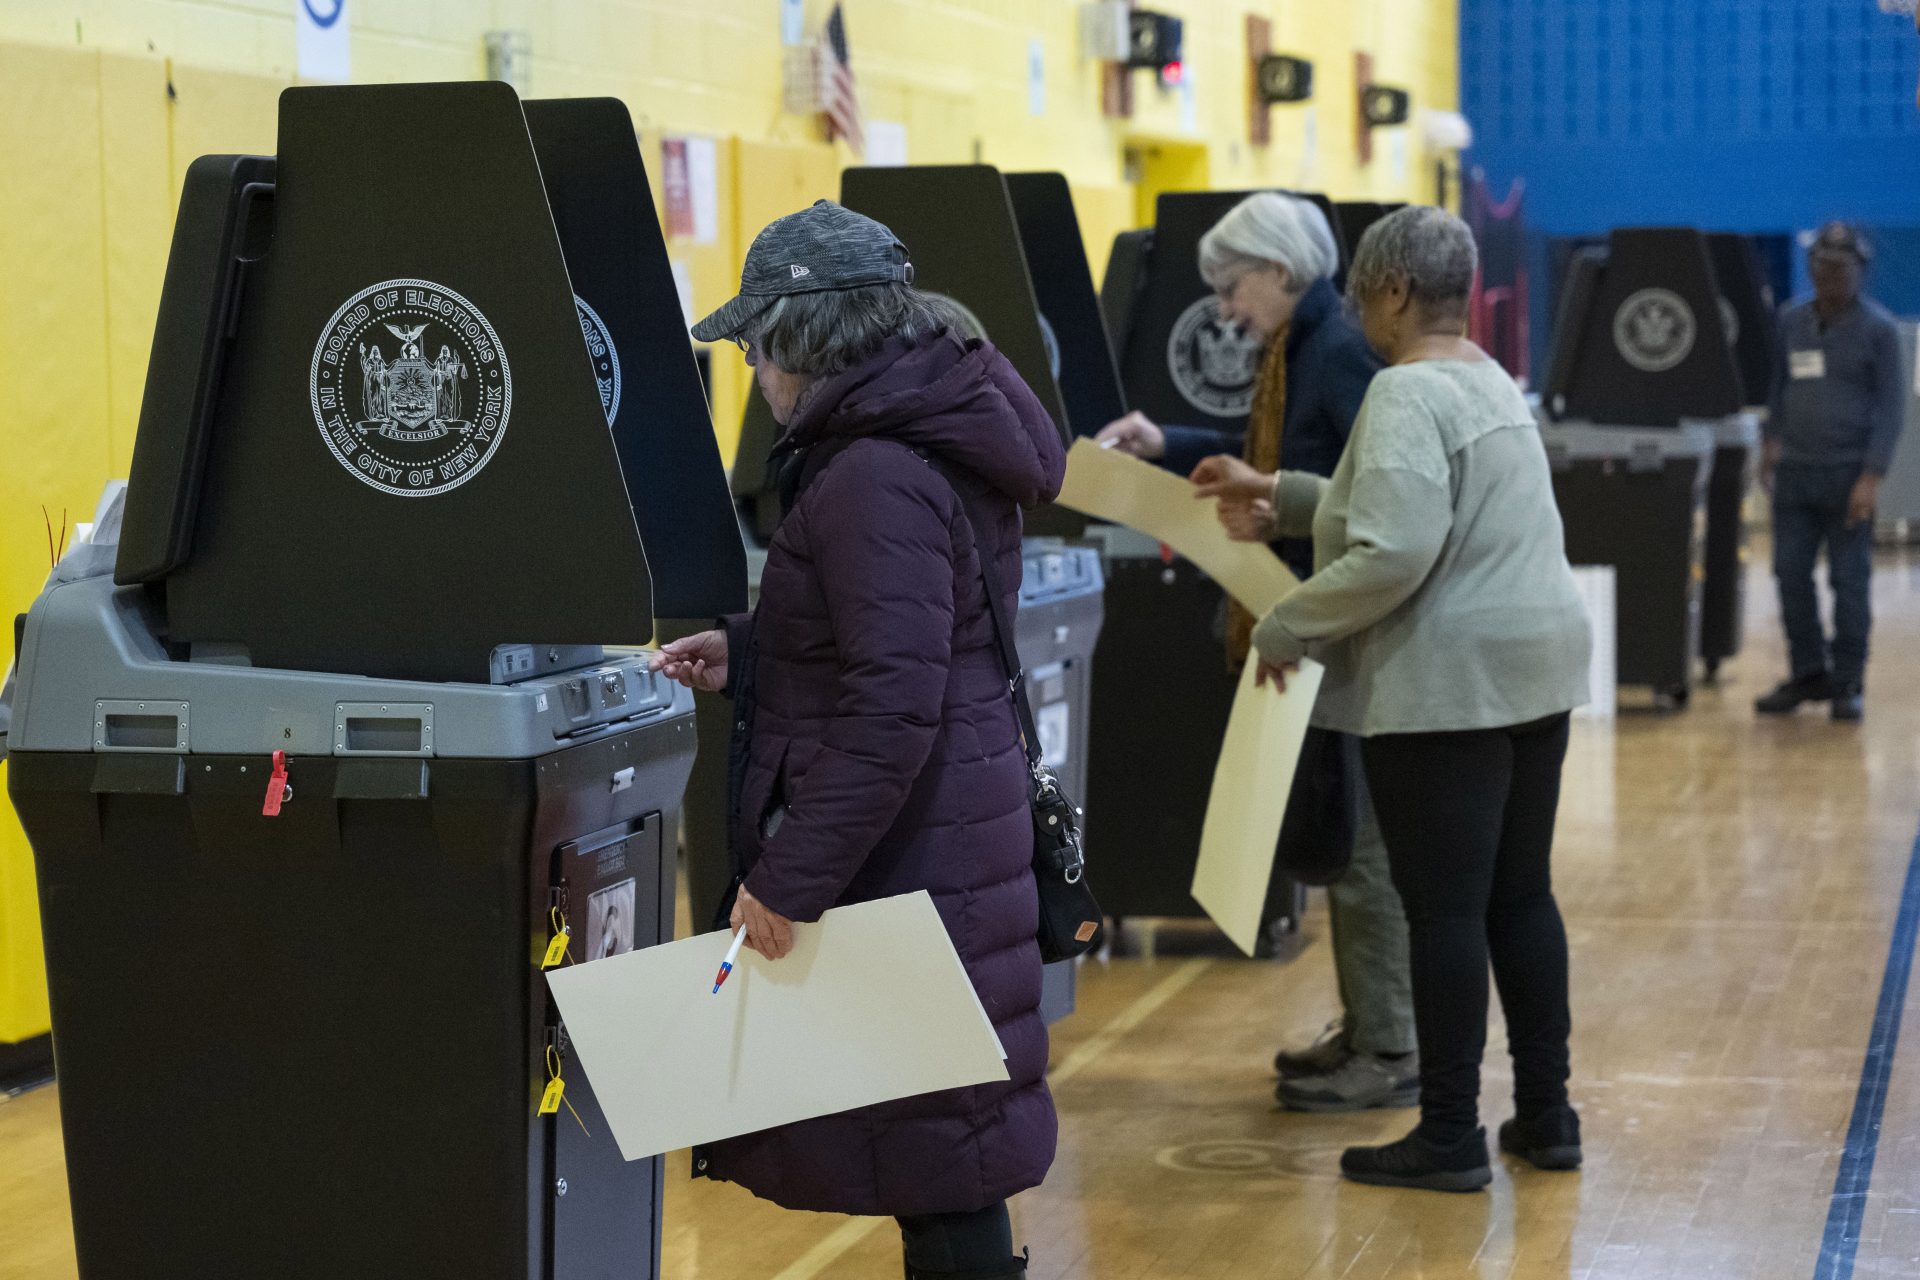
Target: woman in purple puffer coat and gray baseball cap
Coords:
[[876, 749]]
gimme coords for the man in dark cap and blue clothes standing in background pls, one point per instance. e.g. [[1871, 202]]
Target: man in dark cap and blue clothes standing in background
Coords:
[[1836, 415]]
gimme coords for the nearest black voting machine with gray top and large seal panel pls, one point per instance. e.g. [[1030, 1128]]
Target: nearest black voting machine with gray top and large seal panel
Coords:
[[377, 454]]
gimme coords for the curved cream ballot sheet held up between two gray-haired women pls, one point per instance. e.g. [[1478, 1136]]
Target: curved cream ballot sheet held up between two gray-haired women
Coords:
[[1122, 488]]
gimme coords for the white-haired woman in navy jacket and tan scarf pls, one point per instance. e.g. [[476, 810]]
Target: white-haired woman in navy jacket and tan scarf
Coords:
[[1270, 260]]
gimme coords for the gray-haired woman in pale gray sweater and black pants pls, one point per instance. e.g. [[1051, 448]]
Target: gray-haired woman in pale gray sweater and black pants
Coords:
[[1456, 646]]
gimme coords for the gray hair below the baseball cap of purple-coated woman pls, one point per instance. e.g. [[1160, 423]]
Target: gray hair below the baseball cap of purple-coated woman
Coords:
[[830, 331]]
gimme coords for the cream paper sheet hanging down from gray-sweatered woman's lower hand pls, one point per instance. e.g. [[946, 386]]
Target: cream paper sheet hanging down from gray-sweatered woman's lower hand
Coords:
[[1251, 788]]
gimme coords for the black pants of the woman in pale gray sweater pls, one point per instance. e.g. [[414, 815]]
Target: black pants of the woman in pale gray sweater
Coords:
[[1470, 834]]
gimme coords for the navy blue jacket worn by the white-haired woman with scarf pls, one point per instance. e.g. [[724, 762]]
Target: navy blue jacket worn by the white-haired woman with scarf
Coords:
[[1330, 367]]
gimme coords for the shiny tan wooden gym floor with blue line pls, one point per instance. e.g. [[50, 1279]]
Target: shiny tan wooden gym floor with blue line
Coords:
[[1731, 891]]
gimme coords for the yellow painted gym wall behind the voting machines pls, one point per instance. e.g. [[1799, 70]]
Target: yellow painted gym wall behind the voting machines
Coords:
[[105, 105]]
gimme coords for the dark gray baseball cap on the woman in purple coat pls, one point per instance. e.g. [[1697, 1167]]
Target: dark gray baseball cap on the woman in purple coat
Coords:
[[811, 252]]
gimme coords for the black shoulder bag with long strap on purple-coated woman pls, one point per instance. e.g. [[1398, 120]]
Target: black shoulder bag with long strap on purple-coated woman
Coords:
[[1072, 922]]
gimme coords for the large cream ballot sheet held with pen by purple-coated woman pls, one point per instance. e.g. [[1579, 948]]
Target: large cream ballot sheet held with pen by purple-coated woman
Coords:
[[873, 1005]]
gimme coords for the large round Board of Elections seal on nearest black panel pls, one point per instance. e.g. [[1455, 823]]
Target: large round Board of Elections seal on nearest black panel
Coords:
[[410, 389]]
